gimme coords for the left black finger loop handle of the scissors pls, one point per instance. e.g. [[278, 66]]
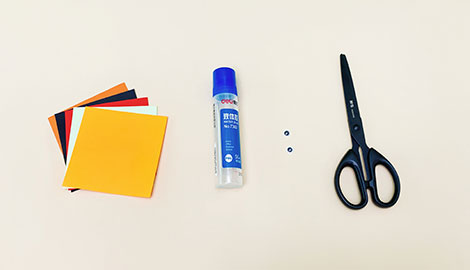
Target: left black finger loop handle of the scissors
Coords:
[[351, 160]]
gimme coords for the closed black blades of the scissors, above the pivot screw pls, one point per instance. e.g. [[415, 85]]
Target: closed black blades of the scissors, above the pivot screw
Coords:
[[348, 87]]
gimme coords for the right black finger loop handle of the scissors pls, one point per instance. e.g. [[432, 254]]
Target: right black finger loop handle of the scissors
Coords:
[[375, 158]]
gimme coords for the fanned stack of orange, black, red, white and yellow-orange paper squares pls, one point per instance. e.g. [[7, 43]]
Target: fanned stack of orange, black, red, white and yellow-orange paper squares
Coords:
[[111, 143]]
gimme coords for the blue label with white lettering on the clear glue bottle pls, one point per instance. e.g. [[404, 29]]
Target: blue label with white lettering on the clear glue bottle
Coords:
[[230, 139]]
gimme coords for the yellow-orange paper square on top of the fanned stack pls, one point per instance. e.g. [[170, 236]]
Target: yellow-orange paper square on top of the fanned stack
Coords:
[[116, 152]]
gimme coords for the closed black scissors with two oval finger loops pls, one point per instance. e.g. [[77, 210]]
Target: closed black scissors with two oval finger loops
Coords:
[[364, 170]]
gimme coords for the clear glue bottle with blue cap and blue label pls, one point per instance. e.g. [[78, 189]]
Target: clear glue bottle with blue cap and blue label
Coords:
[[227, 156]]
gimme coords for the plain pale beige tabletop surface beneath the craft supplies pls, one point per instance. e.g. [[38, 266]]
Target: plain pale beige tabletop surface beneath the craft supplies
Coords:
[[410, 64]]
